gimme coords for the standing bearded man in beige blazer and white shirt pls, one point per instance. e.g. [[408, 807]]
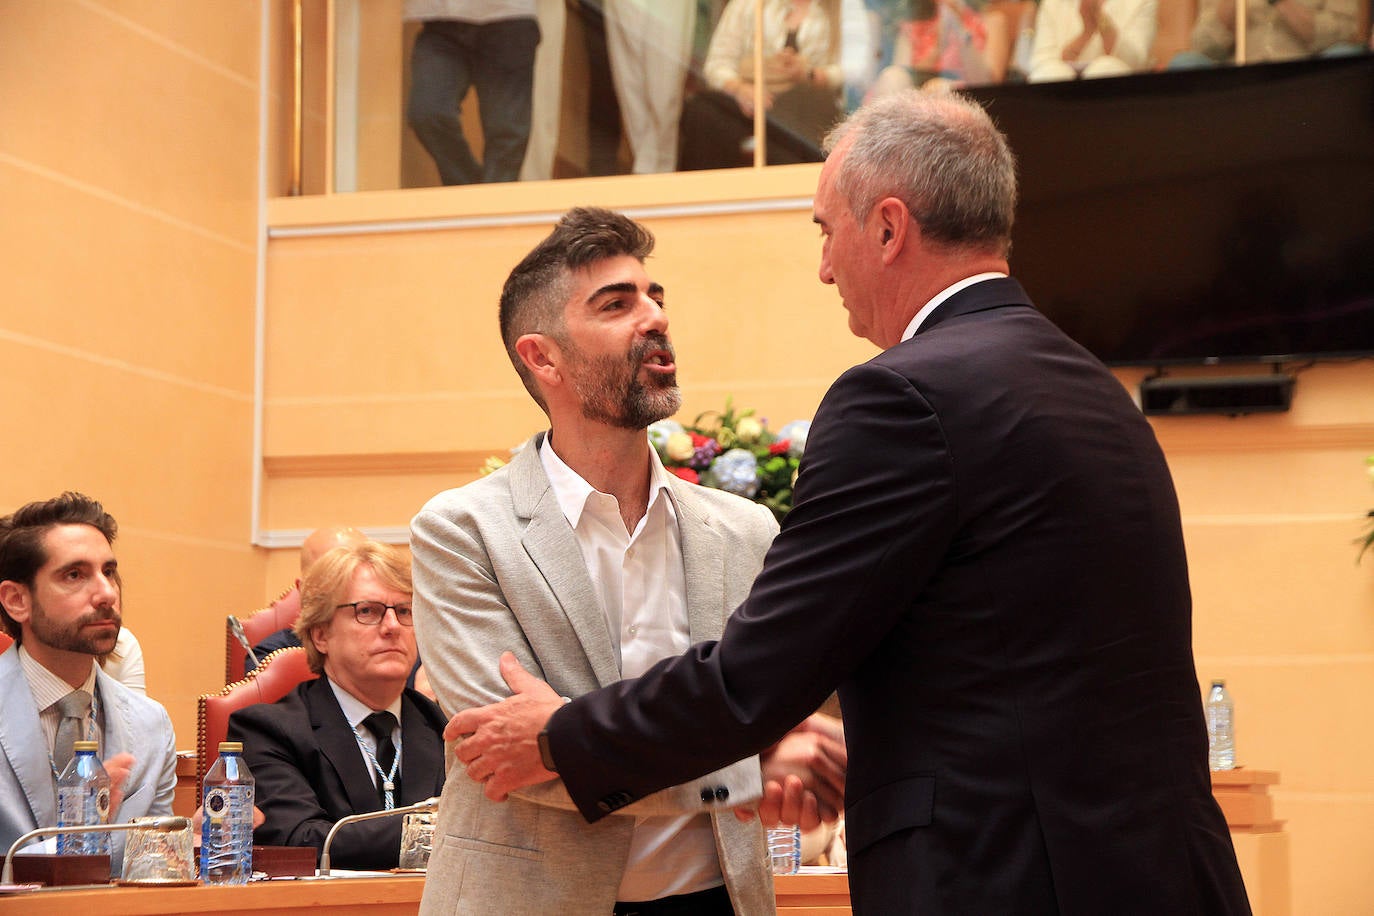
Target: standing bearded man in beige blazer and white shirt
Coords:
[[592, 562]]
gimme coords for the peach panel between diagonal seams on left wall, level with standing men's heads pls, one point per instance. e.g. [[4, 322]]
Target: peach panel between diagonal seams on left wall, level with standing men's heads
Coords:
[[119, 284]]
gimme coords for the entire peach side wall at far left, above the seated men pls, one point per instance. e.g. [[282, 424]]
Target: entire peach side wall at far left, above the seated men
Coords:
[[128, 247]]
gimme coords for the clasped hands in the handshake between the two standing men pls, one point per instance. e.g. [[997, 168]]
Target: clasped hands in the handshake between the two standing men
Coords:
[[804, 777]]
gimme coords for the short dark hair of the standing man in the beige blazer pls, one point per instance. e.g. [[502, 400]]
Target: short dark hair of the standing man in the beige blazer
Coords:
[[537, 290]]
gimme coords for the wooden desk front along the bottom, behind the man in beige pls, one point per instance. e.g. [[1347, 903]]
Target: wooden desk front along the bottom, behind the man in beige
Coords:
[[401, 896]]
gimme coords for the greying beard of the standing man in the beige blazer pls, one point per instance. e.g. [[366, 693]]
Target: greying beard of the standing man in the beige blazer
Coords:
[[612, 392]]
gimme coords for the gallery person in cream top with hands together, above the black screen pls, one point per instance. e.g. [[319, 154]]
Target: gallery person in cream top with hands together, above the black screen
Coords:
[[1092, 39]]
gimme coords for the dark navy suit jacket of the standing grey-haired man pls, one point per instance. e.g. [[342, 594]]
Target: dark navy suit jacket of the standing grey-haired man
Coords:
[[986, 558]]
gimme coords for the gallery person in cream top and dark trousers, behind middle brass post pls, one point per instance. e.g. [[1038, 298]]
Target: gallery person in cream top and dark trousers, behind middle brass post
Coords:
[[802, 84]]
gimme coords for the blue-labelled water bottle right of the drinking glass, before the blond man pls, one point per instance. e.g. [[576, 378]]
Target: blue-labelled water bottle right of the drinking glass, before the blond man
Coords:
[[227, 819]]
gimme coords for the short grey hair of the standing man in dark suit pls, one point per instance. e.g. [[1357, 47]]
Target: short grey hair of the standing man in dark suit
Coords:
[[942, 157]]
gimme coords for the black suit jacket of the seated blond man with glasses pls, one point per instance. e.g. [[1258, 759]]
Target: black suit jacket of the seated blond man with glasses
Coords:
[[310, 772]]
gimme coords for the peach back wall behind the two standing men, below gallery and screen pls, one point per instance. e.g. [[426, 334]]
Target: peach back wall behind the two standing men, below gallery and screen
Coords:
[[403, 388]]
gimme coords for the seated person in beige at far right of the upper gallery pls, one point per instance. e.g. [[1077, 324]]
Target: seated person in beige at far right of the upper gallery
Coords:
[[1279, 31]]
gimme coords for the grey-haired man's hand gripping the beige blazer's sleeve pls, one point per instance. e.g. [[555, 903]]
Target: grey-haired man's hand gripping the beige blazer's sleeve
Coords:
[[499, 744]]
